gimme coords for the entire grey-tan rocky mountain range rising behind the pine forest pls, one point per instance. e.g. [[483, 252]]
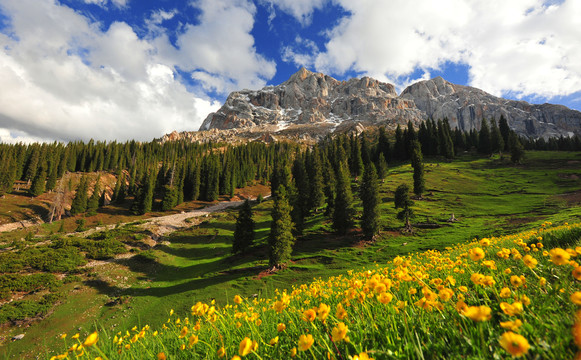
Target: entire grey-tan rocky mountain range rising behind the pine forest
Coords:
[[315, 104]]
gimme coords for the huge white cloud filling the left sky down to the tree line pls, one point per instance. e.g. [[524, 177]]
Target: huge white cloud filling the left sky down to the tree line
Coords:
[[63, 78]]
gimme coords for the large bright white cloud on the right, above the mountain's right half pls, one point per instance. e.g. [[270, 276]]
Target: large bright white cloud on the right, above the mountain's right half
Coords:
[[525, 47]]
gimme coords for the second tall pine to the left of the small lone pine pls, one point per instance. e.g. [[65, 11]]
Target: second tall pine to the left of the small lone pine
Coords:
[[343, 215]]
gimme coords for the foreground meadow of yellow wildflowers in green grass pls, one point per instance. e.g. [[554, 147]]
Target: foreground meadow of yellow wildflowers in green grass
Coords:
[[511, 296]]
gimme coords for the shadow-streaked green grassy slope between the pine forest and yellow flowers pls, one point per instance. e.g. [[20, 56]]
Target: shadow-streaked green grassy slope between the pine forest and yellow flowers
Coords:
[[488, 197]]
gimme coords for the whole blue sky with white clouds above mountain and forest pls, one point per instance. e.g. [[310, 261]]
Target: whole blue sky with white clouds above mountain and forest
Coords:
[[136, 69]]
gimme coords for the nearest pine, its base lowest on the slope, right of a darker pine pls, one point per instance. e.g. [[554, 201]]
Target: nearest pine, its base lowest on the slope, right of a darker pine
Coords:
[[280, 239]]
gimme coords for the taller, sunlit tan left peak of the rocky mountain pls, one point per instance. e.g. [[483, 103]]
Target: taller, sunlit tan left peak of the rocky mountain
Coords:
[[310, 98]]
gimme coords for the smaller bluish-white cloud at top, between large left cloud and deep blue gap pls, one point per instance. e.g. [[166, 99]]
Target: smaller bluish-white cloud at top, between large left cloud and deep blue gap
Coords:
[[220, 50]]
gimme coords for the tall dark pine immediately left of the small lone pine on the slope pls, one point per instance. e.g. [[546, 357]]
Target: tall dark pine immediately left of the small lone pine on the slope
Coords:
[[369, 193]]
